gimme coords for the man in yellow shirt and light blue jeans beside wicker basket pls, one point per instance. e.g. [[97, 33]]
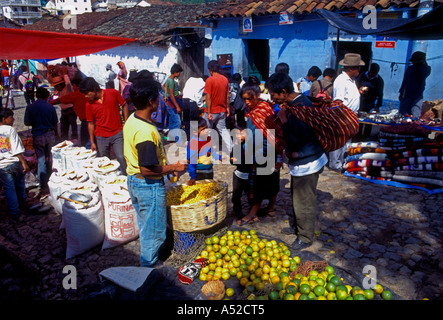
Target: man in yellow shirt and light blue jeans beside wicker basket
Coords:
[[146, 165]]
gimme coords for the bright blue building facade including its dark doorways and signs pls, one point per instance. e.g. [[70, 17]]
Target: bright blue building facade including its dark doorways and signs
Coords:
[[305, 40]]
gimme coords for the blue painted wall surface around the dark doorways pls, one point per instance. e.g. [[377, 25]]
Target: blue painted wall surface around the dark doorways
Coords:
[[305, 43]]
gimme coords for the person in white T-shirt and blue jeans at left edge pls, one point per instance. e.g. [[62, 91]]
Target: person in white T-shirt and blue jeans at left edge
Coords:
[[12, 165]]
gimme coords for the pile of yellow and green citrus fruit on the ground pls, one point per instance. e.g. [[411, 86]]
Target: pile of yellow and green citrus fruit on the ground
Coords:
[[259, 263]]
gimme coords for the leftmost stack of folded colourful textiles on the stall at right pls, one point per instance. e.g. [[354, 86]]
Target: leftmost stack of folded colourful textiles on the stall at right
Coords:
[[370, 160]]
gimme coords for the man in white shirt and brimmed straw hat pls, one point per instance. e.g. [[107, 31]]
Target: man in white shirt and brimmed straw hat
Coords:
[[345, 89]]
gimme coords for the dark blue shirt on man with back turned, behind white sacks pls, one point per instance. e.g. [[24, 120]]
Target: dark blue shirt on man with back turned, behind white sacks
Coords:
[[41, 116]]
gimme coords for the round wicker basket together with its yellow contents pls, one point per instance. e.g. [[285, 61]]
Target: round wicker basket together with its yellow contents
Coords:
[[197, 207]]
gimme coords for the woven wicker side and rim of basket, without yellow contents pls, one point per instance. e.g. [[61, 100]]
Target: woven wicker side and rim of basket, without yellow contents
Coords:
[[201, 215]]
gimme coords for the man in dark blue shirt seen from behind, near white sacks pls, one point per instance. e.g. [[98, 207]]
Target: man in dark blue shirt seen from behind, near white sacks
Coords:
[[42, 117]]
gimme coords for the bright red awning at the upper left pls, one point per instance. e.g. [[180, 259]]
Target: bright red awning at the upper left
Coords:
[[31, 44]]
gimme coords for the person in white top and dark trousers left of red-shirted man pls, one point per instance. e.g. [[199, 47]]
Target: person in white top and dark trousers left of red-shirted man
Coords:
[[192, 100]]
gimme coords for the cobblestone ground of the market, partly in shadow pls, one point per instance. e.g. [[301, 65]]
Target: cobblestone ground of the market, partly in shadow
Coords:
[[396, 230]]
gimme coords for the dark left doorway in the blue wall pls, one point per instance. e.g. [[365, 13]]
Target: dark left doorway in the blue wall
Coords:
[[257, 55]]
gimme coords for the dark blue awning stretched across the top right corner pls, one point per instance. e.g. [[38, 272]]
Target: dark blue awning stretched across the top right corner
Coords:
[[427, 27]]
